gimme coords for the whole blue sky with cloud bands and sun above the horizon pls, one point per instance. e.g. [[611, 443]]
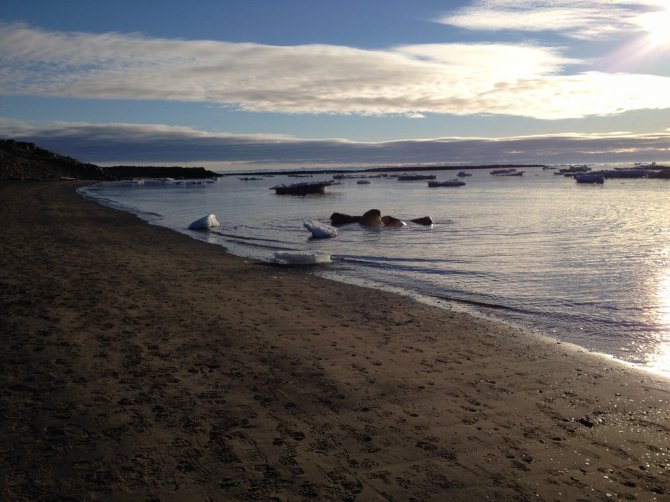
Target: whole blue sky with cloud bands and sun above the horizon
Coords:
[[231, 83]]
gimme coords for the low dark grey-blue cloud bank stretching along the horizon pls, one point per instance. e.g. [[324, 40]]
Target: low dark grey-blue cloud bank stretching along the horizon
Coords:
[[159, 144]]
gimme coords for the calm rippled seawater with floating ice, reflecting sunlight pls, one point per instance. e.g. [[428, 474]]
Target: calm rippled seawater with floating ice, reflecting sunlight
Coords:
[[584, 264]]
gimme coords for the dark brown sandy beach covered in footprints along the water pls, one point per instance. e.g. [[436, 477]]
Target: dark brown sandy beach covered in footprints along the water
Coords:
[[139, 364]]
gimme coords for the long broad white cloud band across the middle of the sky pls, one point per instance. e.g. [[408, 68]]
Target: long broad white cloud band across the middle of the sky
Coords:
[[458, 79]]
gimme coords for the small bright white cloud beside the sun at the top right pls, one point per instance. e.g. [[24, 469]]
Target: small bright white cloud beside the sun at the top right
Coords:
[[581, 19]]
